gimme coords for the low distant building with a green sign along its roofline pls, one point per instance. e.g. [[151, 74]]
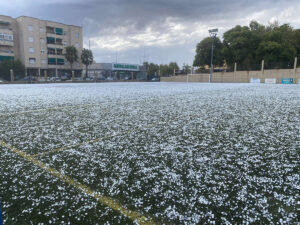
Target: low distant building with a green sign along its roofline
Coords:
[[117, 71]]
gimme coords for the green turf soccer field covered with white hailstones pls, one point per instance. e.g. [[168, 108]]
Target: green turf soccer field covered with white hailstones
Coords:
[[149, 153]]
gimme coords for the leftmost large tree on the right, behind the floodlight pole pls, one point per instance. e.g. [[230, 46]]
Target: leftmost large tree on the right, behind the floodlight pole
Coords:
[[203, 52]]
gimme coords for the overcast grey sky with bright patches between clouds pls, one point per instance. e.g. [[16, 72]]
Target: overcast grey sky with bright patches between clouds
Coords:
[[158, 31]]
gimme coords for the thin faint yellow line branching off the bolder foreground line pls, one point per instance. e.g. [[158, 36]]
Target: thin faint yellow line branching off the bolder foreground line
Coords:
[[86, 142]]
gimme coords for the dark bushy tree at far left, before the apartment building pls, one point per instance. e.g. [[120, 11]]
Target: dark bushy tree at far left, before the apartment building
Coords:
[[16, 66]]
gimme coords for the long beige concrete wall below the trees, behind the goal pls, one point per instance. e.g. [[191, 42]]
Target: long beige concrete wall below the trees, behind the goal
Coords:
[[237, 77]]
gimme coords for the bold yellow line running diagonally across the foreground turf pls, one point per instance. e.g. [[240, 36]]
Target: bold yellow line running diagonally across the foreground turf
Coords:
[[111, 203]]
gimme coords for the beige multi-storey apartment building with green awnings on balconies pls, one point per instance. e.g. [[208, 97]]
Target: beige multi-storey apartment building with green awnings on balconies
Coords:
[[40, 45]]
